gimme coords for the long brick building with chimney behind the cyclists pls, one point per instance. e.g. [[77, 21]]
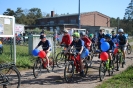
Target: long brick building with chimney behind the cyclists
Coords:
[[70, 21]]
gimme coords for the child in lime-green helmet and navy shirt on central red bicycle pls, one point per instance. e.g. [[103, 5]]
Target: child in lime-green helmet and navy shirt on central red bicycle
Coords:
[[80, 48]]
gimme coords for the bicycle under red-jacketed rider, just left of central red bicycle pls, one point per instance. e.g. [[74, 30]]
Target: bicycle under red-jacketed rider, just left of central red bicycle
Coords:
[[61, 58]]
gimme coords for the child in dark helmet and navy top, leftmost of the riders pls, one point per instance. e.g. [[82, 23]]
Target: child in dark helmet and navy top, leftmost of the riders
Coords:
[[45, 46]]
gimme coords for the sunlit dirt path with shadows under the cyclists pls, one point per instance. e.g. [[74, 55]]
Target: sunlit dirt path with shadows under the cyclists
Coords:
[[55, 79]]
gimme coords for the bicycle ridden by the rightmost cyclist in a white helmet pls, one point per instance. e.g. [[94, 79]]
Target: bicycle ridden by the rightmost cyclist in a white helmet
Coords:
[[118, 58]]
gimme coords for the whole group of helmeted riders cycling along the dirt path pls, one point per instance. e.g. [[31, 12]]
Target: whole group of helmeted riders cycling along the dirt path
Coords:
[[83, 43]]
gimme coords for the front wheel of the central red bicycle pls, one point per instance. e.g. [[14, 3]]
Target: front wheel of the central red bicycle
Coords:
[[69, 71]]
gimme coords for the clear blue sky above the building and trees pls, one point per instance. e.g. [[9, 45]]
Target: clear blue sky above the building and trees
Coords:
[[112, 8]]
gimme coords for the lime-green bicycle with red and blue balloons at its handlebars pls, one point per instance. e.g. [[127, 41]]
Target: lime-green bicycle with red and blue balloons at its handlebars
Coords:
[[106, 65]]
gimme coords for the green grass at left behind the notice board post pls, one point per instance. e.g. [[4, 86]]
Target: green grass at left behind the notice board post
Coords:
[[23, 59]]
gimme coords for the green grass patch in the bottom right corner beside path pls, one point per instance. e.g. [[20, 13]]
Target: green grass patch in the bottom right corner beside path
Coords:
[[122, 80]]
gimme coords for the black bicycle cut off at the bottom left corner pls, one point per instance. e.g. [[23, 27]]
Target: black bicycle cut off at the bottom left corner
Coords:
[[10, 77]]
